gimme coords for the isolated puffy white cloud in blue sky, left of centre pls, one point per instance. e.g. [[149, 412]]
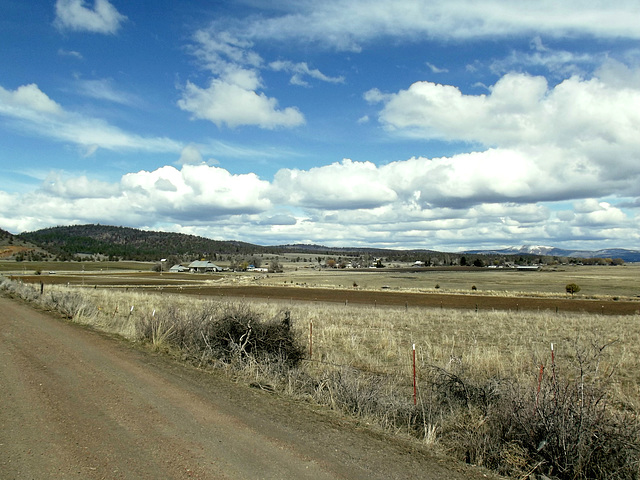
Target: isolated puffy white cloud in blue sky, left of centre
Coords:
[[231, 104]]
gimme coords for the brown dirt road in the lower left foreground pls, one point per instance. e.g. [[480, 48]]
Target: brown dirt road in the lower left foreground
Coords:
[[77, 404]]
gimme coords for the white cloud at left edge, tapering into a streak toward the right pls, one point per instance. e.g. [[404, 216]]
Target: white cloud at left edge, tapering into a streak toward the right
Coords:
[[30, 109]]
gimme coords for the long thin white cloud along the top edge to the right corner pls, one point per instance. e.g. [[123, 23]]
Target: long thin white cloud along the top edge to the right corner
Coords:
[[345, 24]]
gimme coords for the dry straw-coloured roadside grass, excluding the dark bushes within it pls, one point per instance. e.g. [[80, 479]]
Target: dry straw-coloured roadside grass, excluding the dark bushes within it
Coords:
[[361, 364]]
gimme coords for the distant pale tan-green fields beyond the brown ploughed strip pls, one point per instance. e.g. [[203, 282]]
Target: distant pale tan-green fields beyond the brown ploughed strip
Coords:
[[594, 281]]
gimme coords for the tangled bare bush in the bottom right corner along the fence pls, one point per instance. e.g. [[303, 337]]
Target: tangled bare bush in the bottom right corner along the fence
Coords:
[[565, 428]]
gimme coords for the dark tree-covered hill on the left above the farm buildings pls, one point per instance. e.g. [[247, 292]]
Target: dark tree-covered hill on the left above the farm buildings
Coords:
[[131, 244]]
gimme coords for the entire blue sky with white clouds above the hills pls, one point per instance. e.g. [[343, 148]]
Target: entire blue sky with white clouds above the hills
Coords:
[[441, 124]]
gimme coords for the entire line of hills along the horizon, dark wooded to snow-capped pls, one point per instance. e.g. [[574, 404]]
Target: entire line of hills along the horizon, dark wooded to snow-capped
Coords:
[[65, 243]]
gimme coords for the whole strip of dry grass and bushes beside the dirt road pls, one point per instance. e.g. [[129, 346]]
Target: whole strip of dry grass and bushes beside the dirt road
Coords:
[[488, 389]]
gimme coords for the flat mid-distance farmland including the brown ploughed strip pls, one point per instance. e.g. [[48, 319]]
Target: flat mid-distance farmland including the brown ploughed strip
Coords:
[[604, 290]]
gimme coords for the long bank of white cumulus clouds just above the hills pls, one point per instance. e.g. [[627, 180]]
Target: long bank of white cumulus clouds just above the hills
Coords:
[[445, 203]]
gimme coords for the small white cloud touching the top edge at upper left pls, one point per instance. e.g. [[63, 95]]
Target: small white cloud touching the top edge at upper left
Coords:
[[75, 15]]
